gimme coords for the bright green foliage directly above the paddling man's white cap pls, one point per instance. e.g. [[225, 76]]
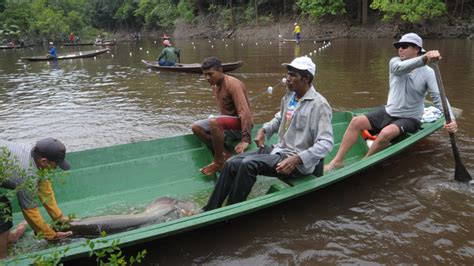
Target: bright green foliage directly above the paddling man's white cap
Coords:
[[409, 10]]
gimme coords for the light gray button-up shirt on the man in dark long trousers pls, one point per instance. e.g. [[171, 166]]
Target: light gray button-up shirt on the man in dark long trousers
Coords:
[[310, 131]]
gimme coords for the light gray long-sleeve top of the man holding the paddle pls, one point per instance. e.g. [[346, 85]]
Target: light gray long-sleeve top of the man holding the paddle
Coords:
[[410, 80]]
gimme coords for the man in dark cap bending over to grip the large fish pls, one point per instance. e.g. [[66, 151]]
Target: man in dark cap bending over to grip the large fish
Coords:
[[28, 164]]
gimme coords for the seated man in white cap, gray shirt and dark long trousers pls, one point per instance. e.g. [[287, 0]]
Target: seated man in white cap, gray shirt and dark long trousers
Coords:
[[305, 137]]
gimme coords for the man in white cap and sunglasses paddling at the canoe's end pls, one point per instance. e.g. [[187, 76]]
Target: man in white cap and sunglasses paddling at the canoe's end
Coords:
[[409, 81]]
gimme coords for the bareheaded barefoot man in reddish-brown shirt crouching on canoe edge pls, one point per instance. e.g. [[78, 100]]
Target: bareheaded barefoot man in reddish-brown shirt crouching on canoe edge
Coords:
[[235, 119]]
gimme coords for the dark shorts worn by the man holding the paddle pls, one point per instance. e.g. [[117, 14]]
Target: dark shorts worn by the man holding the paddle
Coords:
[[379, 119]]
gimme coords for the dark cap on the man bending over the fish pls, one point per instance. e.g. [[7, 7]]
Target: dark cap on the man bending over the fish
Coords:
[[53, 150]]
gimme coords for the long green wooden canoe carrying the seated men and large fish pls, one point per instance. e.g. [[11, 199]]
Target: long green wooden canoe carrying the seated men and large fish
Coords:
[[137, 173]]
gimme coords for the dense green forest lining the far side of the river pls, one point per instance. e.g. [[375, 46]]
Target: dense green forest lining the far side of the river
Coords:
[[42, 20]]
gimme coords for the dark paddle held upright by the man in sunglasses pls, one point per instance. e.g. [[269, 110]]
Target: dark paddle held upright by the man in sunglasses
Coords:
[[460, 172]]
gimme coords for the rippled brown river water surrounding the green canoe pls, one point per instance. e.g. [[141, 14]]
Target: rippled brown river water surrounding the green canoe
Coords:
[[406, 210]]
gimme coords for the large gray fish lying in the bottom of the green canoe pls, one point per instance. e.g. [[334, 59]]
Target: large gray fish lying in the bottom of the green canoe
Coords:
[[160, 210]]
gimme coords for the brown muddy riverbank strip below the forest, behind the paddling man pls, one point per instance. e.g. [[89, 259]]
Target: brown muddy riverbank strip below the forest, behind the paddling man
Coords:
[[334, 29]]
